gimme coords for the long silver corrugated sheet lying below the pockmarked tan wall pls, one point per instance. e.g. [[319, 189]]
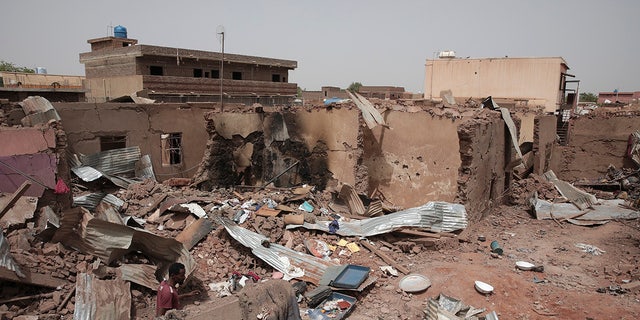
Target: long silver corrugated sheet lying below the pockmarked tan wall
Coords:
[[435, 216]]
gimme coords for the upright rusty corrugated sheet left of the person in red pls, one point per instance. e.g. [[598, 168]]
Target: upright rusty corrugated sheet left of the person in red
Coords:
[[101, 299]]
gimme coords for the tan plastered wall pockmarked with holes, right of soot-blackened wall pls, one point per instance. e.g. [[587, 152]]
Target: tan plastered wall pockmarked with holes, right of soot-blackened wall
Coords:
[[416, 161]]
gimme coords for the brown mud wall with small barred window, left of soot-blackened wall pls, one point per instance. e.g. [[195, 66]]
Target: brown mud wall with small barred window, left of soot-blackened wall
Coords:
[[142, 125]]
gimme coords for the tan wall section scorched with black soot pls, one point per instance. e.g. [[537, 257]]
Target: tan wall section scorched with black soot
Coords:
[[255, 147]]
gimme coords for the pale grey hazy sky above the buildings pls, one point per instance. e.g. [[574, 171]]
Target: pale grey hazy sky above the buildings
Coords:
[[339, 42]]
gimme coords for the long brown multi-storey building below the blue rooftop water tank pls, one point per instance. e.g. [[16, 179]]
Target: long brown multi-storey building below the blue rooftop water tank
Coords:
[[118, 67]]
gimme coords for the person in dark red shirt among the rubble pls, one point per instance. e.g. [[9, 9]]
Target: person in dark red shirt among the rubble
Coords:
[[168, 297]]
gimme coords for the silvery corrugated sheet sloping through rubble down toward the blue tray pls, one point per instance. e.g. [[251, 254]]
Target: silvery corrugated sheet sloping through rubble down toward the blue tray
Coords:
[[283, 259]]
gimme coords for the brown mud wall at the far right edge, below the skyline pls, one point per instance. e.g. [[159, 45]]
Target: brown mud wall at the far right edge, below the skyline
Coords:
[[595, 141]]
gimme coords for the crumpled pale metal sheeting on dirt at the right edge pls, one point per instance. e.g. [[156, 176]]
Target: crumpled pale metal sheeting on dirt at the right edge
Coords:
[[604, 211]]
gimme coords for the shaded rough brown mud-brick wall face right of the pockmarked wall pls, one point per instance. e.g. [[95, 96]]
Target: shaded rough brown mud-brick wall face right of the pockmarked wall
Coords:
[[485, 149]]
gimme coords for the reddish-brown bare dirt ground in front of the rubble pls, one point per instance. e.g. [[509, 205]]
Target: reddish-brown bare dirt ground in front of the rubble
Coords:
[[567, 289]]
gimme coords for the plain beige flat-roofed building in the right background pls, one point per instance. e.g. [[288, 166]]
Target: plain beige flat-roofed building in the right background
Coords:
[[513, 81]]
